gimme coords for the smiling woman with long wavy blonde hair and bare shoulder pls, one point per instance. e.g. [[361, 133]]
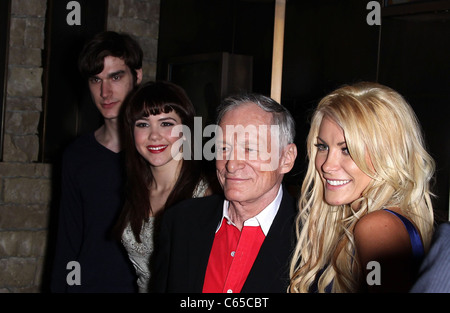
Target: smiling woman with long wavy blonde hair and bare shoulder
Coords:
[[366, 217]]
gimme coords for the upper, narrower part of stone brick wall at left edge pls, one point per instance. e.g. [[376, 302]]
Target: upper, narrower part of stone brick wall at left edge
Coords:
[[24, 89]]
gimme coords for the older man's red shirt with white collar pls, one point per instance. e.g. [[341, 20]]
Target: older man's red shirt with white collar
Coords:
[[234, 252]]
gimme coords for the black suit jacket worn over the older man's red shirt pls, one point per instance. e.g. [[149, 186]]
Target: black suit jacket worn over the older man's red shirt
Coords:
[[185, 241]]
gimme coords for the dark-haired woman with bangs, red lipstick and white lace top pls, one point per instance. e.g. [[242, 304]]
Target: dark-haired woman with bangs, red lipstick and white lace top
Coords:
[[158, 175]]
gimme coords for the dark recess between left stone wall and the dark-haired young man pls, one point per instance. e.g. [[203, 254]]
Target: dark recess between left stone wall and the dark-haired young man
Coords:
[[68, 108]]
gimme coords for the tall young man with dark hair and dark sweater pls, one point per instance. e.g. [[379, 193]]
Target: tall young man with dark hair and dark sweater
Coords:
[[88, 258]]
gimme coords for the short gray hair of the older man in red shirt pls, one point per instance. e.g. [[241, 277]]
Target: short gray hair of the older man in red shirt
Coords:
[[280, 115]]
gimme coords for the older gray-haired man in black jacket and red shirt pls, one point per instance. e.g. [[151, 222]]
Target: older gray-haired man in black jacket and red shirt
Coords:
[[240, 242]]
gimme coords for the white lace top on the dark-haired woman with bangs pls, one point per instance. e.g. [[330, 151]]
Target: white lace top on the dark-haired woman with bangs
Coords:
[[140, 253]]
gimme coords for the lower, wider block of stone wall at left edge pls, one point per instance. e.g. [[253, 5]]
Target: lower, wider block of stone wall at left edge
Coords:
[[24, 208]]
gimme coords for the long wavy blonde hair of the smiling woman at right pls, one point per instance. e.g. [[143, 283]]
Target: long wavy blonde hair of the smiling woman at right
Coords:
[[379, 122]]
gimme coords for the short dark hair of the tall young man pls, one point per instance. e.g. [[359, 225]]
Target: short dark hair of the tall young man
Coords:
[[110, 43]]
